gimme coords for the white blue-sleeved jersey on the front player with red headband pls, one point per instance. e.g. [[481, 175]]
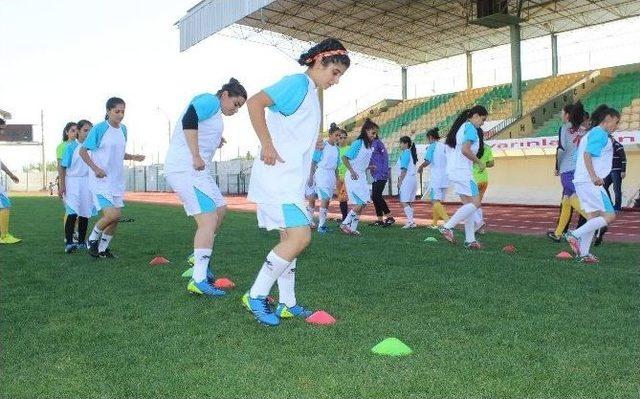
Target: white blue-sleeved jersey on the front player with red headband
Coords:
[[294, 123]]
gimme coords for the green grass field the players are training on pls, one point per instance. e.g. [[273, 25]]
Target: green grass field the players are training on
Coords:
[[481, 324]]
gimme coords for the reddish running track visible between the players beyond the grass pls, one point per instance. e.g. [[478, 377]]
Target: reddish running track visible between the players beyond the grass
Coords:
[[533, 220]]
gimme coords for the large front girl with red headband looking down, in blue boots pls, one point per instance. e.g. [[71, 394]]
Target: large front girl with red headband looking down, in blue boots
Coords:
[[288, 135]]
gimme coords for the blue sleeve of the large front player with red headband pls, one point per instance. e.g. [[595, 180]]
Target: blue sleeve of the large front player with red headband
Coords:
[[288, 94]]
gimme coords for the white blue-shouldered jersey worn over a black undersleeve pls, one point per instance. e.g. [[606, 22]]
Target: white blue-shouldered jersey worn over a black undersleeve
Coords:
[[210, 128]]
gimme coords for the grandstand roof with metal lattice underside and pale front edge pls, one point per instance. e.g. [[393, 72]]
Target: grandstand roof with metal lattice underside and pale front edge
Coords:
[[407, 32]]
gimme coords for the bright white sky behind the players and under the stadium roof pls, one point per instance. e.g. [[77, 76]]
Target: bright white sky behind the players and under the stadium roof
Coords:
[[67, 57]]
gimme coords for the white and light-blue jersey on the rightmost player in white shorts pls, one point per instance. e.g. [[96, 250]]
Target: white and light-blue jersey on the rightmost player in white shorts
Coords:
[[597, 143]]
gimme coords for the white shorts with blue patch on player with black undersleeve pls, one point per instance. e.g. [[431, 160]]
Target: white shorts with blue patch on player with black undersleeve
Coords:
[[197, 191]]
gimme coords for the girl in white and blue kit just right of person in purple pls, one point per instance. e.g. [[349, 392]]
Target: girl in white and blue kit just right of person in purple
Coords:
[[407, 181]]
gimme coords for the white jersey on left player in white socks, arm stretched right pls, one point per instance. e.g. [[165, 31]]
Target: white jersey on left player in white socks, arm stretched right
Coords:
[[107, 145]]
